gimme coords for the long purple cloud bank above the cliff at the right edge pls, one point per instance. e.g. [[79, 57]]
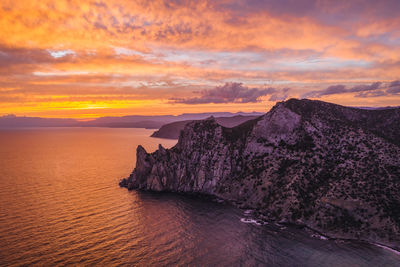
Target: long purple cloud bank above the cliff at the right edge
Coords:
[[375, 89]]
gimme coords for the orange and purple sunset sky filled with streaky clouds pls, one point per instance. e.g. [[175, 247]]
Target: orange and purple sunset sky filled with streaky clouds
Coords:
[[85, 59]]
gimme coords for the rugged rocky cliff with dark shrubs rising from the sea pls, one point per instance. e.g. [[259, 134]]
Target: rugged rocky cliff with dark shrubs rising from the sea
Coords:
[[333, 168]]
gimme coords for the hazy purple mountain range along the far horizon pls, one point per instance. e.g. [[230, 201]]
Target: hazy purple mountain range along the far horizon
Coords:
[[134, 121]]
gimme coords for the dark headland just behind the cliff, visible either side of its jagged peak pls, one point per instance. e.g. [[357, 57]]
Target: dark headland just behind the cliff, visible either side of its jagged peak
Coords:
[[173, 129]]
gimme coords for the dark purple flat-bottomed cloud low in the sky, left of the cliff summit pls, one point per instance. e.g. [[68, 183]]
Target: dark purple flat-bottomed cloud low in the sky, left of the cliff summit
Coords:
[[228, 93]]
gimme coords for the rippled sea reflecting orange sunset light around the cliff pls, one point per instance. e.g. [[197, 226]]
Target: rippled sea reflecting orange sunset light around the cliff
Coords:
[[60, 205]]
